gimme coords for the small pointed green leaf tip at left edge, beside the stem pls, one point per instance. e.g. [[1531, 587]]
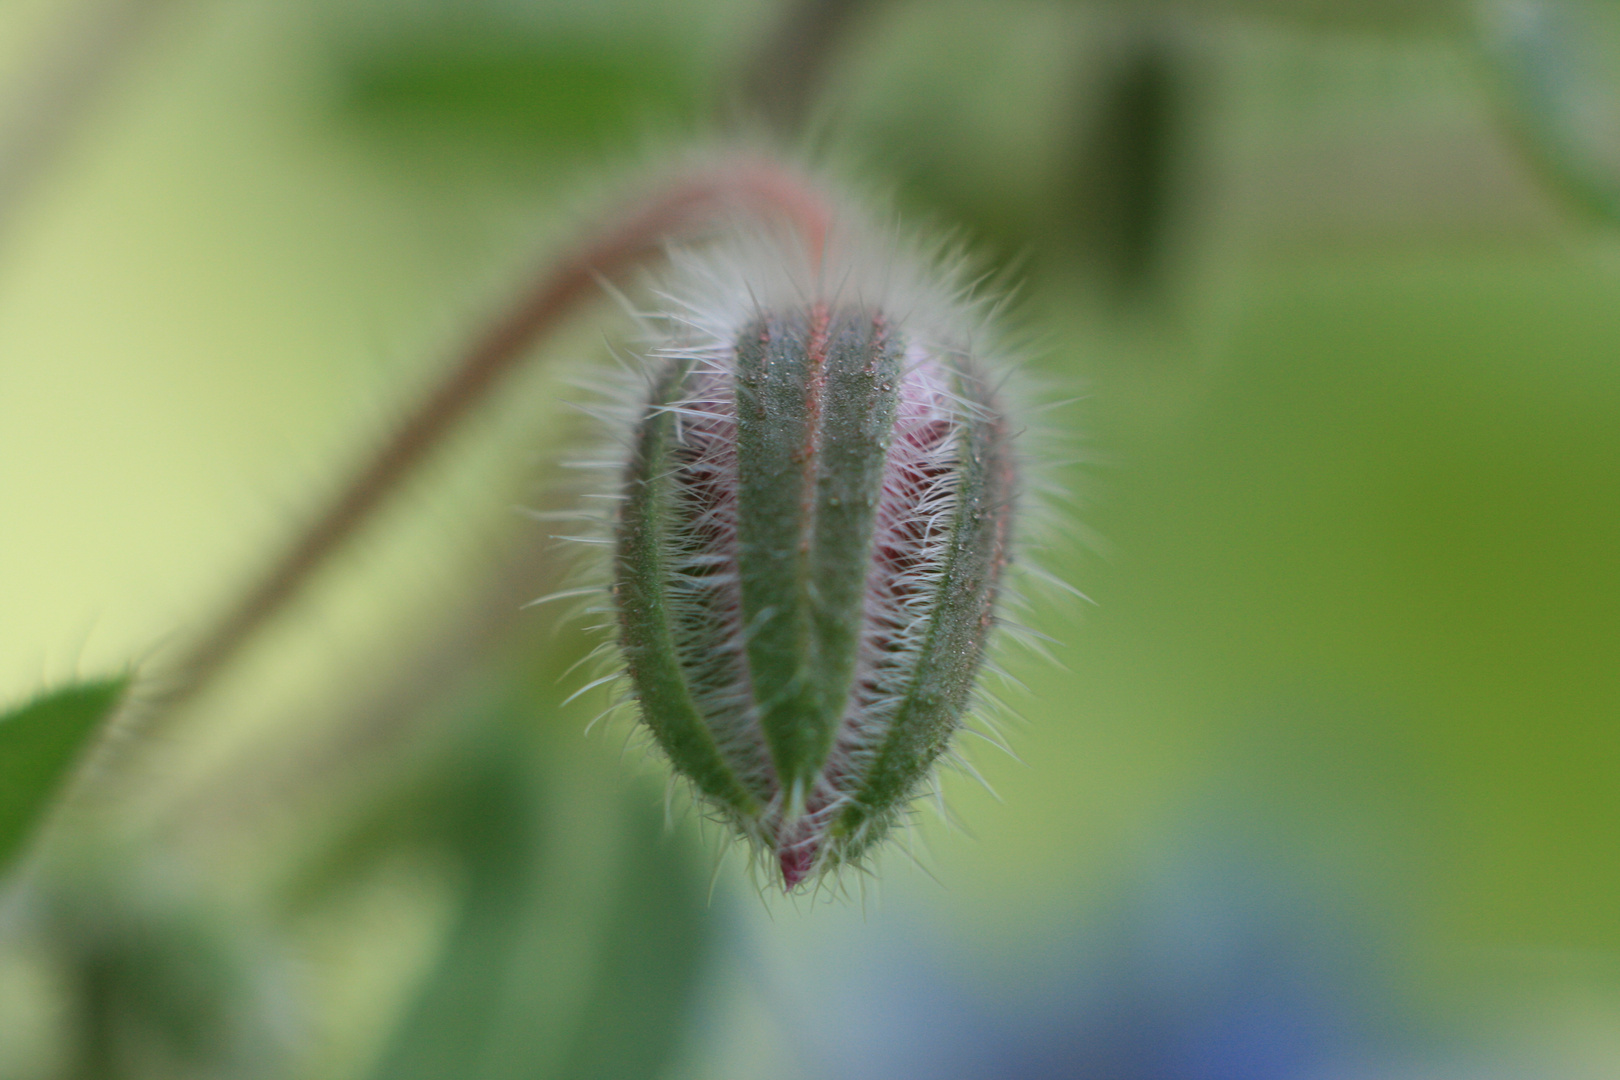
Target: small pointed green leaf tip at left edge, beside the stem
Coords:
[[40, 742]]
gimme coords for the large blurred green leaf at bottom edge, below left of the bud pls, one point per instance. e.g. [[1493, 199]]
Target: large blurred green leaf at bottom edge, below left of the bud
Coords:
[[487, 1010]]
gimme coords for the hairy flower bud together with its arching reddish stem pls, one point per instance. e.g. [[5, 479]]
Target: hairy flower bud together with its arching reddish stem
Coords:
[[814, 503]]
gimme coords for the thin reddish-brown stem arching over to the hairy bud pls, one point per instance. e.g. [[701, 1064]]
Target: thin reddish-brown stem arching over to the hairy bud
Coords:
[[625, 240]]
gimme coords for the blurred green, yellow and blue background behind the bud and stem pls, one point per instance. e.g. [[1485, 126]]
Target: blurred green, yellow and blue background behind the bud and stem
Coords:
[[1321, 784]]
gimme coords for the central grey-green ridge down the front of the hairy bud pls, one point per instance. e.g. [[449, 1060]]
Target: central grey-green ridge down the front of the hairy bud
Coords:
[[816, 396]]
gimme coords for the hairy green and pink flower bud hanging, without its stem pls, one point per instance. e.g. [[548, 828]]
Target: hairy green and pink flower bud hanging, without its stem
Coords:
[[812, 530]]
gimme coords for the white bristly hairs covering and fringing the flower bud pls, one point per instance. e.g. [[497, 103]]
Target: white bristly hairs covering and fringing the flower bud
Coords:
[[697, 308]]
